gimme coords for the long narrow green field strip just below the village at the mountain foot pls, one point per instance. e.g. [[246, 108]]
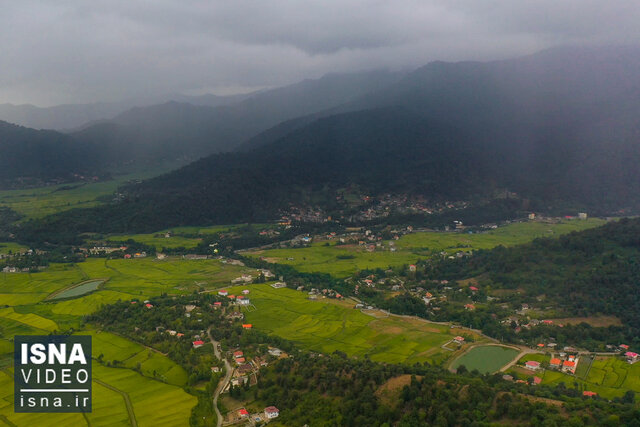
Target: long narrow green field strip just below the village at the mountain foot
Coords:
[[344, 260]]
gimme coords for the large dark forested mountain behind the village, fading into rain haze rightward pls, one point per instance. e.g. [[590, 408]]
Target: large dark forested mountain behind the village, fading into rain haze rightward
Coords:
[[559, 128]]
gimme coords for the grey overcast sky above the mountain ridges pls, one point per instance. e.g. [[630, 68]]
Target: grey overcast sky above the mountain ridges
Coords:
[[62, 51]]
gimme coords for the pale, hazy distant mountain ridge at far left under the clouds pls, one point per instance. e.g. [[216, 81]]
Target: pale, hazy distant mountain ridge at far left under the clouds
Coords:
[[73, 116]]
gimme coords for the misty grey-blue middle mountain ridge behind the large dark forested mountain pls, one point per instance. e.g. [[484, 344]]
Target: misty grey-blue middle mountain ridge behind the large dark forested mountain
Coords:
[[183, 130]]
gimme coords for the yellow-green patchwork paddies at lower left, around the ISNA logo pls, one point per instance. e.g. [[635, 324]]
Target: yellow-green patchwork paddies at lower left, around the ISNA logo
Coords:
[[156, 395]]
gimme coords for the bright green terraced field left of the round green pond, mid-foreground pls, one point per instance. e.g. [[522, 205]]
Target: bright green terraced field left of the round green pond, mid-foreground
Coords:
[[329, 325]]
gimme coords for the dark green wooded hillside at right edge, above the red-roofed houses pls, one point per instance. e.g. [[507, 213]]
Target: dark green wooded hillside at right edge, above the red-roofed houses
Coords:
[[583, 274]]
